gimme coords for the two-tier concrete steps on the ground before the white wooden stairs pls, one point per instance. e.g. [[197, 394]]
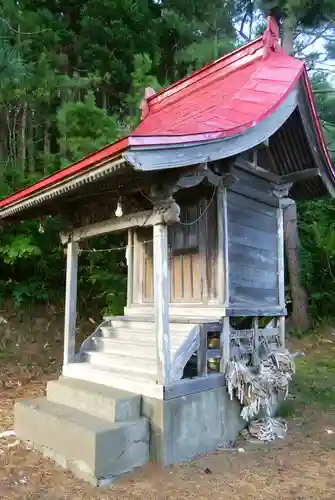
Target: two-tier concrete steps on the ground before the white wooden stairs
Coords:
[[93, 430]]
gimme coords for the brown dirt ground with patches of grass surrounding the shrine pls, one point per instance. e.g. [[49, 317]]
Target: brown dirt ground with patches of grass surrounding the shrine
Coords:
[[300, 467]]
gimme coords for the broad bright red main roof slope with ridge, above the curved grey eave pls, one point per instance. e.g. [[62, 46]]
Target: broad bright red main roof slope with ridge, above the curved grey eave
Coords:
[[224, 99]]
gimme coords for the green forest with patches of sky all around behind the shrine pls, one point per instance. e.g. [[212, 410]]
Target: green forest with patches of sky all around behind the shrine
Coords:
[[72, 75]]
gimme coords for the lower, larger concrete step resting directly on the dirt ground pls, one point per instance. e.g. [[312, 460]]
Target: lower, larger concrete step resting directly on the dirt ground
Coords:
[[92, 448]]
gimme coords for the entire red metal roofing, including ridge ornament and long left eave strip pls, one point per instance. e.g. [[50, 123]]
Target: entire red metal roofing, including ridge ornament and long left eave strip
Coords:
[[223, 99]]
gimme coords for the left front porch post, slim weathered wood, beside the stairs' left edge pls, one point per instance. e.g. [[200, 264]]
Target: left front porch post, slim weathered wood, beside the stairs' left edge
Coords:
[[70, 302]]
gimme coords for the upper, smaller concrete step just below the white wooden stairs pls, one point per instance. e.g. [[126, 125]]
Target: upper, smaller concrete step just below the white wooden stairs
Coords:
[[95, 399]]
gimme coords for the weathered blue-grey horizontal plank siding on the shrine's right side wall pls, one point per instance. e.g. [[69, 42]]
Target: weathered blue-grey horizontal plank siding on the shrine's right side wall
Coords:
[[252, 246]]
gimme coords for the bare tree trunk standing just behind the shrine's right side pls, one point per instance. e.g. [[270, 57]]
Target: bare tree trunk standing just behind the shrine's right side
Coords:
[[300, 317]]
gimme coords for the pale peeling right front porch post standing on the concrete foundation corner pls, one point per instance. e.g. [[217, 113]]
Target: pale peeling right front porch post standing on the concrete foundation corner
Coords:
[[161, 297]]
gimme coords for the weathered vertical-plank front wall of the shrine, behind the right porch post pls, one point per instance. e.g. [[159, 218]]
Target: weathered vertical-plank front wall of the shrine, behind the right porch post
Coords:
[[192, 257]]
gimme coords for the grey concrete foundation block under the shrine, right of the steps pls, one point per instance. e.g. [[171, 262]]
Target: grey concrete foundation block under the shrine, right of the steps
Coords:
[[184, 427]]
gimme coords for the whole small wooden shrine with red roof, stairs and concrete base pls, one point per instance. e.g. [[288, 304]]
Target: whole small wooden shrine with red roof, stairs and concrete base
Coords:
[[200, 187]]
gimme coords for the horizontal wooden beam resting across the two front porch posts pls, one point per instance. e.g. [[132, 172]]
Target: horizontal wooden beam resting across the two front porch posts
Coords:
[[140, 219]]
